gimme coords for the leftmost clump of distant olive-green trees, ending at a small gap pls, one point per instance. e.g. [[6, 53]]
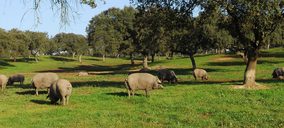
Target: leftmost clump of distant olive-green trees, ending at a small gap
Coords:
[[16, 43]]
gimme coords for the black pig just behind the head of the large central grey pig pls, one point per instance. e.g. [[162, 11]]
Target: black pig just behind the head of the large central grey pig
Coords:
[[168, 75]]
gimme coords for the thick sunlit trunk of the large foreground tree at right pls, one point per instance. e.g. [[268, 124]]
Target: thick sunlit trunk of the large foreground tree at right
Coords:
[[249, 76]]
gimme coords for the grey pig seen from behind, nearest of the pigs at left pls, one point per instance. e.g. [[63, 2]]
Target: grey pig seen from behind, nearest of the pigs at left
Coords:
[[60, 89]]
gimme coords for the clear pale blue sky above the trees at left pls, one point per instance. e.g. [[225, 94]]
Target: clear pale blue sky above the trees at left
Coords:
[[19, 14]]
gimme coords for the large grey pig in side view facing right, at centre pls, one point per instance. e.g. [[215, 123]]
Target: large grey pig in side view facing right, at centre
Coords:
[[142, 81]]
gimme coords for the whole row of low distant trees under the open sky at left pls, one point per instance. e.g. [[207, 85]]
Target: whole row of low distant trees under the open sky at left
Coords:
[[16, 44]]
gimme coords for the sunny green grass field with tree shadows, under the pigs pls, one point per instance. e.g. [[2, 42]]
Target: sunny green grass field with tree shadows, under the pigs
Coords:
[[100, 100]]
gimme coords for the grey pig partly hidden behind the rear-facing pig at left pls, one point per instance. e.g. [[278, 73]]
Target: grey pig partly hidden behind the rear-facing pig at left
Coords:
[[43, 80]]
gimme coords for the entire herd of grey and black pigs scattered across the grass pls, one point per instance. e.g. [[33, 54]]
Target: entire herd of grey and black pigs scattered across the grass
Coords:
[[61, 89]]
